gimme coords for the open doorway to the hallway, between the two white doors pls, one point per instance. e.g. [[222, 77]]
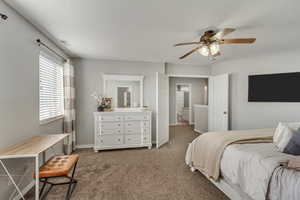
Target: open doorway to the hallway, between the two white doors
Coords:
[[186, 92]]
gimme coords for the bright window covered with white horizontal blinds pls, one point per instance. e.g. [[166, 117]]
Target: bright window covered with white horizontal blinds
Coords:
[[51, 88]]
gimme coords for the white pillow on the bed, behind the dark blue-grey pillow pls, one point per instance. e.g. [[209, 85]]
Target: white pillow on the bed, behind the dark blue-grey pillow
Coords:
[[283, 134]]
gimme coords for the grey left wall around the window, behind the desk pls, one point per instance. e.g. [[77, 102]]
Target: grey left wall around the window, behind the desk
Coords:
[[19, 97]]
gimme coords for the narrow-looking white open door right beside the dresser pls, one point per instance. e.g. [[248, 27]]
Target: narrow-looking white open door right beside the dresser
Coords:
[[162, 109]]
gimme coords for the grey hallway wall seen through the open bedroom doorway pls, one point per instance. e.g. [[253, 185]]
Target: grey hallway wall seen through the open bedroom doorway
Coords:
[[198, 94]]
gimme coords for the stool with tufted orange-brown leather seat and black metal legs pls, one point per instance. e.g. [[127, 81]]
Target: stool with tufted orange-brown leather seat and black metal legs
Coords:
[[59, 166]]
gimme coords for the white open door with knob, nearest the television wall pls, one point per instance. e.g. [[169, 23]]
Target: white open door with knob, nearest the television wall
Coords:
[[218, 115]]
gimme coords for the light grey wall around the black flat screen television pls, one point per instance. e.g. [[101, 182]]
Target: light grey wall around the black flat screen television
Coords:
[[258, 115]]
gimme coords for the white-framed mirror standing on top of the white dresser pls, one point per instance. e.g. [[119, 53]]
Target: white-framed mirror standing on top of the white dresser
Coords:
[[126, 91]]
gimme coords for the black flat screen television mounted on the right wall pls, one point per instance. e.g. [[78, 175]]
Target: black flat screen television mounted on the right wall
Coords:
[[283, 87]]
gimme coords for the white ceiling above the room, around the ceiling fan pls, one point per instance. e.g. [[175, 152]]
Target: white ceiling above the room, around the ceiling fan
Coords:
[[145, 30]]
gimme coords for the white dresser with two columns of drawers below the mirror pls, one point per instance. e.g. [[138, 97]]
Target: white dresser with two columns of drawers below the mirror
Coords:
[[116, 130]]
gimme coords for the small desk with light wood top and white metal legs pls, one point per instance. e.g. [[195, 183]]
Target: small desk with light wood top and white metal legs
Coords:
[[30, 148]]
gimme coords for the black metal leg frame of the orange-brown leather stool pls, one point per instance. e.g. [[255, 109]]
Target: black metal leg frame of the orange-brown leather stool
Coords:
[[72, 184]]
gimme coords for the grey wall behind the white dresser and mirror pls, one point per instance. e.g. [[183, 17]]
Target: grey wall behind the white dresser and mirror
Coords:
[[89, 73]]
